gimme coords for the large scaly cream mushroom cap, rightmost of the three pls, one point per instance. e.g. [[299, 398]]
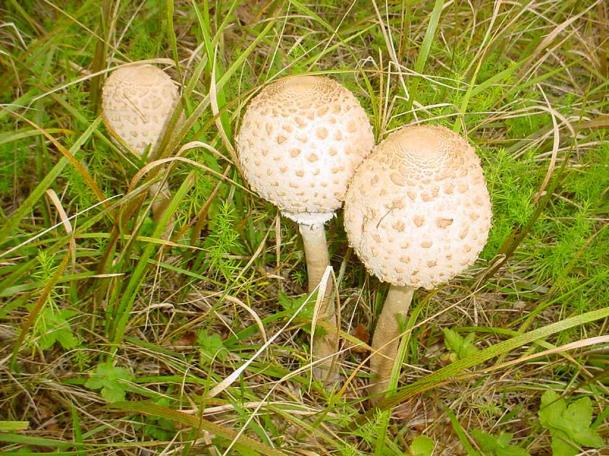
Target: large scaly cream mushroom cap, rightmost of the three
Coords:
[[418, 211]]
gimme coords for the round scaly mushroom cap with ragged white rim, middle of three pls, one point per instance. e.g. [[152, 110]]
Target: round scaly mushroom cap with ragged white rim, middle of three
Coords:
[[301, 140]]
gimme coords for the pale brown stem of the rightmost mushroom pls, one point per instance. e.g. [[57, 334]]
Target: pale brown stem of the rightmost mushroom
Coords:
[[386, 339]]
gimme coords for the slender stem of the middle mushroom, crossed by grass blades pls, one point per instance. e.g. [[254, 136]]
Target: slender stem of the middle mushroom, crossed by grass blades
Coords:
[[325, 346]]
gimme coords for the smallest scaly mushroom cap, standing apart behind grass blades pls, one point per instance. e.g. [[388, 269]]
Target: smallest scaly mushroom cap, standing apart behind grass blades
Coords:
[[137, 102]]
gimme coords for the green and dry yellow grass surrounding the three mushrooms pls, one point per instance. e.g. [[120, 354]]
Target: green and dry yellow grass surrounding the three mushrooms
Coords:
[[120, 339]]
